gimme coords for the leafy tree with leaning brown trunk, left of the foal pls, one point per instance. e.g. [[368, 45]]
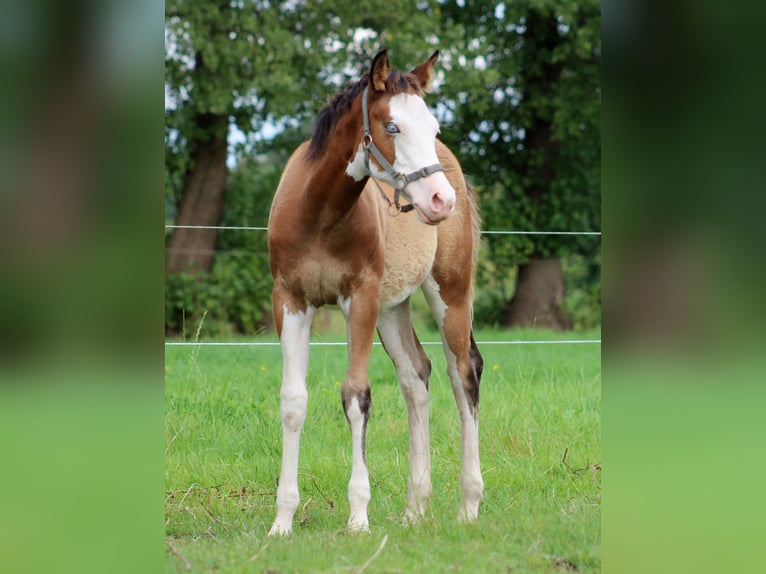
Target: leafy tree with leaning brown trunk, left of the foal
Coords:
[[227, 62]]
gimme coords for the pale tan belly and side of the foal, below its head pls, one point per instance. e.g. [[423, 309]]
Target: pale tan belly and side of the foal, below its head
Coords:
[[409, 257]]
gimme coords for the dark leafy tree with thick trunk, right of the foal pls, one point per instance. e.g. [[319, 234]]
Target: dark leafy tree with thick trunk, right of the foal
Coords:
[[526, 116]]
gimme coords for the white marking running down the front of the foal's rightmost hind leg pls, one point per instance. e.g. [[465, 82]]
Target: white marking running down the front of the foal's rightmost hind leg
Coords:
[[471, 482]]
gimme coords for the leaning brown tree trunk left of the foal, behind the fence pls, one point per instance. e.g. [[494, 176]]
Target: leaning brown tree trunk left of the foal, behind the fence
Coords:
[[192, 250]]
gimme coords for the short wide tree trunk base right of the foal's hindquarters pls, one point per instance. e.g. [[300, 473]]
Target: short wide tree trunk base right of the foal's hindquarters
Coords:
[[539, 295]]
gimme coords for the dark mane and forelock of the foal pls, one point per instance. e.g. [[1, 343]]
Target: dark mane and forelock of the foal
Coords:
[[396, 83]]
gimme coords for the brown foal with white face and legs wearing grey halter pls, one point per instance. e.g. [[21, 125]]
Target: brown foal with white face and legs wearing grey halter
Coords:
[[331, 241]]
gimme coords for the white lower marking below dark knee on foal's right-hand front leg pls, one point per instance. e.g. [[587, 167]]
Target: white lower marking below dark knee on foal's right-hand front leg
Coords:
[[359, 485]]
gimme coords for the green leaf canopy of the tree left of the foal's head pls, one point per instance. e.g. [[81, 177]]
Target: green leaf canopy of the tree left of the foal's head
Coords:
[[241, 60]]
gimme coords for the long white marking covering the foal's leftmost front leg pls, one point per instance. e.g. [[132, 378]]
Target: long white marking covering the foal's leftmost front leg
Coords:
[[296, 330]]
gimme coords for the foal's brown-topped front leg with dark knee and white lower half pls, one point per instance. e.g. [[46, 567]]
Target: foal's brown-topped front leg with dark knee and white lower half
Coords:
[[361, 313]]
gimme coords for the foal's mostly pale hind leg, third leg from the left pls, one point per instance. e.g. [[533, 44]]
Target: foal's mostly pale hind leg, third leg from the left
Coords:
[[412, 370]]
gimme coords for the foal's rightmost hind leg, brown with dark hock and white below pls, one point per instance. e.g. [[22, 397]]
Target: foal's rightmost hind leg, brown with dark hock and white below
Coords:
[[464, 367]]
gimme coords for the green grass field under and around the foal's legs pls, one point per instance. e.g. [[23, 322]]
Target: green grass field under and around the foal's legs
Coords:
[[540, 514]]
